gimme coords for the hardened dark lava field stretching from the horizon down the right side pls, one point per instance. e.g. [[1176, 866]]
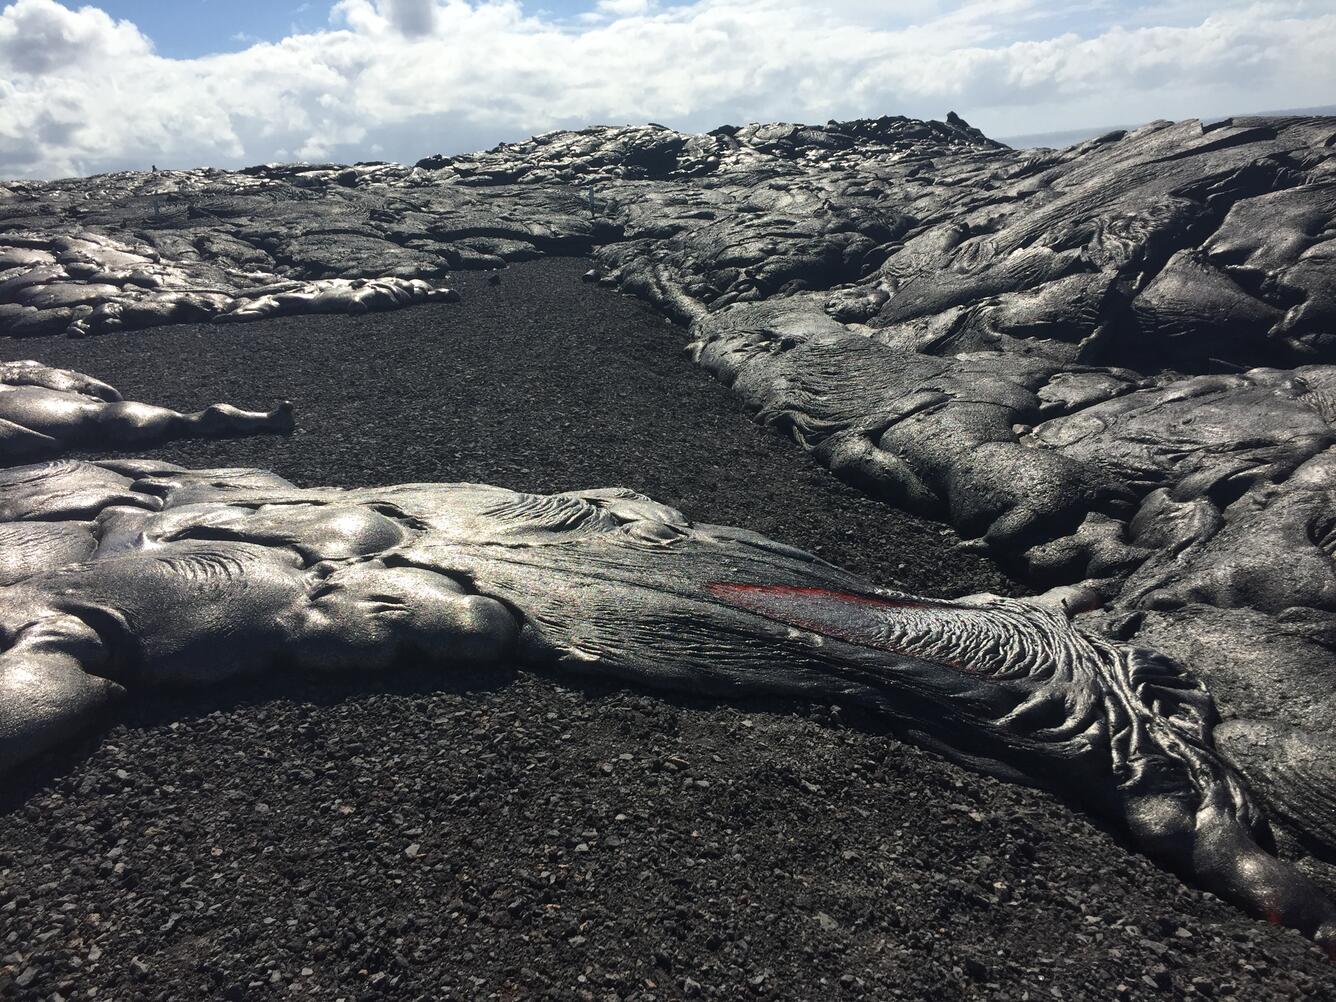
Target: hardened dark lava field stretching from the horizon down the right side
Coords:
[[1108, 365]]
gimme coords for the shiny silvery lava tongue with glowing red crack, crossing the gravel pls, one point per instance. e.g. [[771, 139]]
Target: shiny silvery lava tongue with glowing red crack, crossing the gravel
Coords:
[[128, 575]]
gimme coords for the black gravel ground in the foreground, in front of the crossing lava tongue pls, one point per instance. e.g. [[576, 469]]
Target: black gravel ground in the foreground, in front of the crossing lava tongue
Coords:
[[495, 838]]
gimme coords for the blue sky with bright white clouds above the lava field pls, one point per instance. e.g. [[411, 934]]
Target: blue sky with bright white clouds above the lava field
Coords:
[[120, 85]]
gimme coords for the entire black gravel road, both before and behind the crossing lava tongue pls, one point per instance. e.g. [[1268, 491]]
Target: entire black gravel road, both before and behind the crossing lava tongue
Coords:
[[431, 836]]
